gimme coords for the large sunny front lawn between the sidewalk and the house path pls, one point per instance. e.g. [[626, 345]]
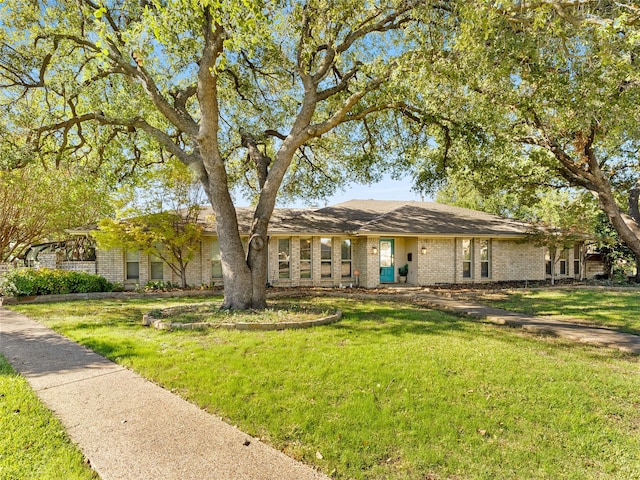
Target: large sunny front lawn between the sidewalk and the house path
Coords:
[[391, 391]]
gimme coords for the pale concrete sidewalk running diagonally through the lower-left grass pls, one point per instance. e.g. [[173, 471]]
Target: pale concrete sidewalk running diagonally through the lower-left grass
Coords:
[[128, 427]]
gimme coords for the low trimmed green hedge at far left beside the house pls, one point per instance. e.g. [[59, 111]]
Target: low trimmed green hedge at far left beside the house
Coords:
[[28, 281]]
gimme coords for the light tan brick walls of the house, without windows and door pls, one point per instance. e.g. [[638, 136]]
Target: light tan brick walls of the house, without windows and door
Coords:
[[441, 262]]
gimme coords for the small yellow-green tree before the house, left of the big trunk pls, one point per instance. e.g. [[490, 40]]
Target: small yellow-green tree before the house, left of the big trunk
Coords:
[[171, 236]]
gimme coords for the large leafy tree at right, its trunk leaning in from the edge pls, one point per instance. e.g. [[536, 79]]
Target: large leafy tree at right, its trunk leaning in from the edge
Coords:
[[553, 89]]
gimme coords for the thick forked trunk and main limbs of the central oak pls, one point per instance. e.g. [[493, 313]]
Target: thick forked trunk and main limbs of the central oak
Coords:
[[244, 275]]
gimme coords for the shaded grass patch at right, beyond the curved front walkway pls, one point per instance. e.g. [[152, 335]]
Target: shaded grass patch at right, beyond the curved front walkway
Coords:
[[618, 309]]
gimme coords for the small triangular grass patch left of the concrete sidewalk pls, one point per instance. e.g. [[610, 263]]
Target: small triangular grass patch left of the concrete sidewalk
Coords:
[[33, 444]]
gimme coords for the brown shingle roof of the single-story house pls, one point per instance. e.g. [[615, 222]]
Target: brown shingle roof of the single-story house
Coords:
[[362, 217]]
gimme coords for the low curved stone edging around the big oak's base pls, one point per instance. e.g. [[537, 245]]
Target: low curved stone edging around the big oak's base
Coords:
[[154, 318]]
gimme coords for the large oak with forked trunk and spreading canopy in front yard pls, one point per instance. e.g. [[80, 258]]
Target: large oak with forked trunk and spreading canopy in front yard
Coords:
[[279, 96]]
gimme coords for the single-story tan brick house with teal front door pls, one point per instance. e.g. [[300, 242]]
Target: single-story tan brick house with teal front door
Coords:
[[364, 243]]
